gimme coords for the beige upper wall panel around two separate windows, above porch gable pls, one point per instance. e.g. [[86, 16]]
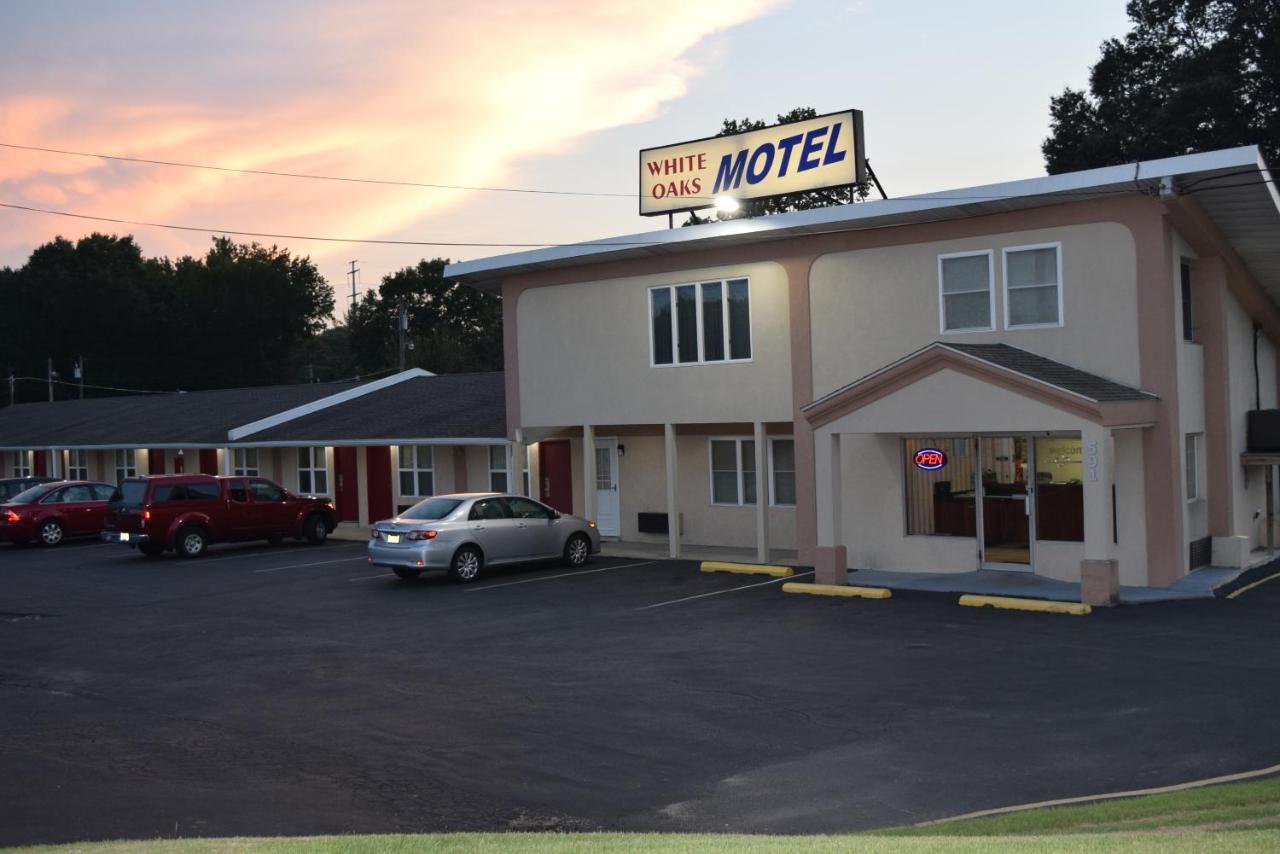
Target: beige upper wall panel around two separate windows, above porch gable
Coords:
[[871, 308]]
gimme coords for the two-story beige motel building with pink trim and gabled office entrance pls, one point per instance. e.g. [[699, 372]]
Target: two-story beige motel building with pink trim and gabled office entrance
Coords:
[[1050, 377]]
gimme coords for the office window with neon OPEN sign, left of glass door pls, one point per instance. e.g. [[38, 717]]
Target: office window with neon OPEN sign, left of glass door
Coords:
[[940, 503]]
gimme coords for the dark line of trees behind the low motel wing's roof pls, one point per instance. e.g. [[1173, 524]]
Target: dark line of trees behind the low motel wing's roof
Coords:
[[241, 316]]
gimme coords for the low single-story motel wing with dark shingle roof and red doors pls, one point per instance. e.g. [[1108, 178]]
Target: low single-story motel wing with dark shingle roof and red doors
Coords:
[[374, 447]]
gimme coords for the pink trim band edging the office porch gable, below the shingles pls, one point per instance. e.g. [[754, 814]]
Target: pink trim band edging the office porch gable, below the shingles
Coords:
[[938, 358]]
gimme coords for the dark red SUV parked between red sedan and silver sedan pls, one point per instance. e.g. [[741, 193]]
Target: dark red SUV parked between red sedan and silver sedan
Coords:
[[188, 513]]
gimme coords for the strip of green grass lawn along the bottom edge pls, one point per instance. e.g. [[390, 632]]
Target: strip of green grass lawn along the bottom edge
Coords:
[[1241, 818]]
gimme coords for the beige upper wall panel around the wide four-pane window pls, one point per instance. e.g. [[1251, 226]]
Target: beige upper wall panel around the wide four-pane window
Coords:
[[586, 357]]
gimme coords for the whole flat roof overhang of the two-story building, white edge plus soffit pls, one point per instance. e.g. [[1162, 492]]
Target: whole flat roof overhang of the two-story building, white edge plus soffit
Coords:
[[1233, 186]]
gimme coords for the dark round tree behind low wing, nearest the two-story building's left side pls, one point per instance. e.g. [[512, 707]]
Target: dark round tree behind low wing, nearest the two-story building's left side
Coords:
[[454, 328]]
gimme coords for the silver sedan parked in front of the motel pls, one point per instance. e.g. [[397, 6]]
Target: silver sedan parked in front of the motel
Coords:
[[468, 532]]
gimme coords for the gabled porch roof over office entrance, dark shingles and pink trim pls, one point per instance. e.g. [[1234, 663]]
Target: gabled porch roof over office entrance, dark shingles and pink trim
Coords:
[[1025, 373]]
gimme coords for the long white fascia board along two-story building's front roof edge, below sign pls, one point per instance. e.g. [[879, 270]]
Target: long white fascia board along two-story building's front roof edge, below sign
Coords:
[[801, 222]]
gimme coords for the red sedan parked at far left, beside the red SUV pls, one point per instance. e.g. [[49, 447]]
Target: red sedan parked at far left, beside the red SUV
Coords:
[[54, 512]]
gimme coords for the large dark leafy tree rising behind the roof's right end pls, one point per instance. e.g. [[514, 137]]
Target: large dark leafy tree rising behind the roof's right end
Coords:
[[1190, 76]]
